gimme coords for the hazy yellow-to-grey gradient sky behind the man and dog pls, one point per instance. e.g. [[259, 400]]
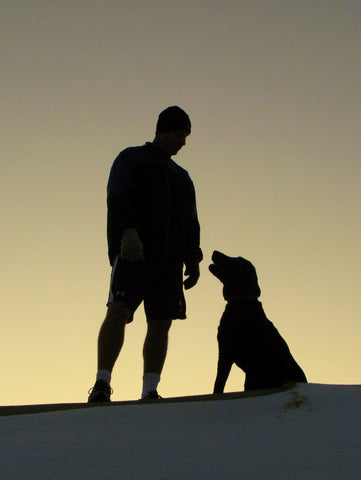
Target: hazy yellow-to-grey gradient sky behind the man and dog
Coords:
[[273, 92]]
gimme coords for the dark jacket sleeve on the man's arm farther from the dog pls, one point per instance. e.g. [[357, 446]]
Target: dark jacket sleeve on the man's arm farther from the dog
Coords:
[[120, 202]]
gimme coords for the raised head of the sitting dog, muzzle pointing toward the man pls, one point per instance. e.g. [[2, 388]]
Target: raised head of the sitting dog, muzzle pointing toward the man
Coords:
[[237, 274]]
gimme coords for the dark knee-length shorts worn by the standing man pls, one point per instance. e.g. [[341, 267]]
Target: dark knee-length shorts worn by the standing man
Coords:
[[160, 287]]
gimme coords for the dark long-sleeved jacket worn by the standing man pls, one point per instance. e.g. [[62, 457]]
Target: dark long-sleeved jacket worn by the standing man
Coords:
[[147, 190]]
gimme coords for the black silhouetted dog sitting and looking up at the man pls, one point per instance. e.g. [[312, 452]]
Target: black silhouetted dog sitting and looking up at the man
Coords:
[[245, 335]]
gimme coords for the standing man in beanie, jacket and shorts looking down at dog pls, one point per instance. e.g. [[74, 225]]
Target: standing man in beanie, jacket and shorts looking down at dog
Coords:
[[153, 231]]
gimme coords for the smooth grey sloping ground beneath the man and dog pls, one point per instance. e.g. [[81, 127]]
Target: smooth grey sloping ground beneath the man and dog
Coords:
[[311, 433]]
